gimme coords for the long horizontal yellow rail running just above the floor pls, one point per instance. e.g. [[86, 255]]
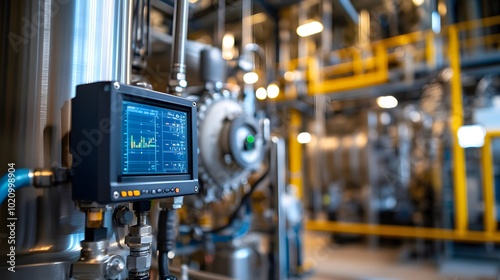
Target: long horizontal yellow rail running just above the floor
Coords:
[[402, 231]]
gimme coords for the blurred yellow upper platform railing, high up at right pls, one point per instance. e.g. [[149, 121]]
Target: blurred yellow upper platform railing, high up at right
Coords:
[[350, 72]]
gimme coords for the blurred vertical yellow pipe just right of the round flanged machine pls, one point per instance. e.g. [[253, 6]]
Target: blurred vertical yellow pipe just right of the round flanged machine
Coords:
[[295, 152]]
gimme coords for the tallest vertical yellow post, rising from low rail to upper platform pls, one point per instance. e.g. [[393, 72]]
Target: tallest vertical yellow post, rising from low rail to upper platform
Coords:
[[459, 172]]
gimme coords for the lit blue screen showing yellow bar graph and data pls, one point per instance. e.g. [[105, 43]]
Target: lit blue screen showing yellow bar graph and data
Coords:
[[154, 140]]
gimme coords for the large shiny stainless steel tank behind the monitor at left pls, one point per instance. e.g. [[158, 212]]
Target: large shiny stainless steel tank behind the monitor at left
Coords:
[[51, 46]]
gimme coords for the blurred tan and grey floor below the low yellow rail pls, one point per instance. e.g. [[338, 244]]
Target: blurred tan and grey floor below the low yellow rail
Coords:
[[359, 262]]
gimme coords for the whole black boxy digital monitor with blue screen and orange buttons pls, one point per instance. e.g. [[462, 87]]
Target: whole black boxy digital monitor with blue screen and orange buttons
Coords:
[[129, 143]]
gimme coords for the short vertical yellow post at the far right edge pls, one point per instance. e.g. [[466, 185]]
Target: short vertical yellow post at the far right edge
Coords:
[[488, 185]]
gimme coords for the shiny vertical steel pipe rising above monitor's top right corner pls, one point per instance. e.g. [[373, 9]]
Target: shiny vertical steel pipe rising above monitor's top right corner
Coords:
[[177, 82]]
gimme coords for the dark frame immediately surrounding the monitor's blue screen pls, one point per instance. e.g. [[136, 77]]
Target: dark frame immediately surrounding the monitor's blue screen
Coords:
[[156, 100]]
